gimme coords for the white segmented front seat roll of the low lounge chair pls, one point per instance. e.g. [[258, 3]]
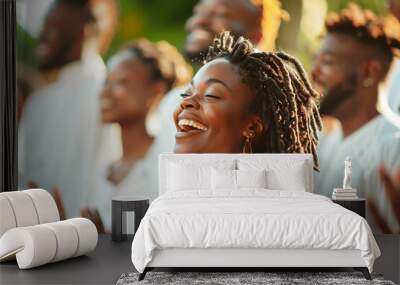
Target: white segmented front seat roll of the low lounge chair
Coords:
[[40, 244]]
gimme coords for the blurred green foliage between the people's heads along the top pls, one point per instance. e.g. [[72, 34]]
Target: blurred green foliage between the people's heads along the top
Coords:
[[164, 20]]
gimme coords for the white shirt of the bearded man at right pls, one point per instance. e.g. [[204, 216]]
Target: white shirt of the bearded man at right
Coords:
[[374, 143]]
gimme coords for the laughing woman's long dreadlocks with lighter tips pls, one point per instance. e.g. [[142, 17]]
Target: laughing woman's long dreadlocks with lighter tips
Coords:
[[284, 97]]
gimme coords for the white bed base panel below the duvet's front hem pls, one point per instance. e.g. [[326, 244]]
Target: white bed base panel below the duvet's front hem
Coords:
[[235, 257]]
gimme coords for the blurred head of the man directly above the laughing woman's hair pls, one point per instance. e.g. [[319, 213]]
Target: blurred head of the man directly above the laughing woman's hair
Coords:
[[258, 20]]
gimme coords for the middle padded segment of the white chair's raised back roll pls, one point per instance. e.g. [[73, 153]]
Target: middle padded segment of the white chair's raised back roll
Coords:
[[23, 208]]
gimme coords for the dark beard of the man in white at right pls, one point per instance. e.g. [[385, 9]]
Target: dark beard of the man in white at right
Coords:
[[339, 94]]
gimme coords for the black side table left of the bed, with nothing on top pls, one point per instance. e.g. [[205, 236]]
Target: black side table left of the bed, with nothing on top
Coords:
[[121, 206]]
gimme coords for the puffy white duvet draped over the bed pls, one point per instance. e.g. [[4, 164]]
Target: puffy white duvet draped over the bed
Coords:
[[250, 219]]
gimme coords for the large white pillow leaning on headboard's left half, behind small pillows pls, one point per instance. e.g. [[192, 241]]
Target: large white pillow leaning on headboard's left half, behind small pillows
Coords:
[[187, 177]]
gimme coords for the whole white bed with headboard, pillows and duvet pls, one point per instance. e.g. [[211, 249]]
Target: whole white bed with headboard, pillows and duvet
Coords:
[[198, 222]]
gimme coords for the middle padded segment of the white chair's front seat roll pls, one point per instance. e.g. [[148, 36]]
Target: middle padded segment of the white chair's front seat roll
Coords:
[[67, 239]]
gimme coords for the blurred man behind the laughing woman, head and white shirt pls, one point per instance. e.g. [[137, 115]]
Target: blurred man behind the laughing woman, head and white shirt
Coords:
[[257, 20]]
